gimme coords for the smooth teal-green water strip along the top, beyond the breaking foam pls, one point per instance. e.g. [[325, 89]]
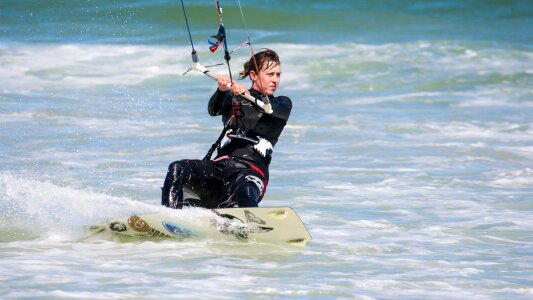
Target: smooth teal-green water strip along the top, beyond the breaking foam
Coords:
[[309, 22]]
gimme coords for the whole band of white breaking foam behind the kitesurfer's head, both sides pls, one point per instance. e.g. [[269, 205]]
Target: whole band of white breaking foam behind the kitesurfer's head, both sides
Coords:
[[30, 67]]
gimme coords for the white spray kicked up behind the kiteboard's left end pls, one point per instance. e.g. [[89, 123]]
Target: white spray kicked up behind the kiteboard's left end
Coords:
[[39, 209]]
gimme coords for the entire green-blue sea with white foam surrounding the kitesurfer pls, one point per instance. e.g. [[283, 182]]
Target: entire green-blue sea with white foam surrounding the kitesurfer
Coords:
[[408, 155]]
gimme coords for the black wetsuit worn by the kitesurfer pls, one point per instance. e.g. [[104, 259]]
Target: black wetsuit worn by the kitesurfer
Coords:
[[239, 173]]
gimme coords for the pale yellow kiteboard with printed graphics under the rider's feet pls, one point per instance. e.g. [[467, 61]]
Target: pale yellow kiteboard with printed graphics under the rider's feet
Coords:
[[264, 224]]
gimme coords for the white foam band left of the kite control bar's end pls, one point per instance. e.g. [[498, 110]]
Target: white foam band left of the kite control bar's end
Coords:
[[32, 68]]
